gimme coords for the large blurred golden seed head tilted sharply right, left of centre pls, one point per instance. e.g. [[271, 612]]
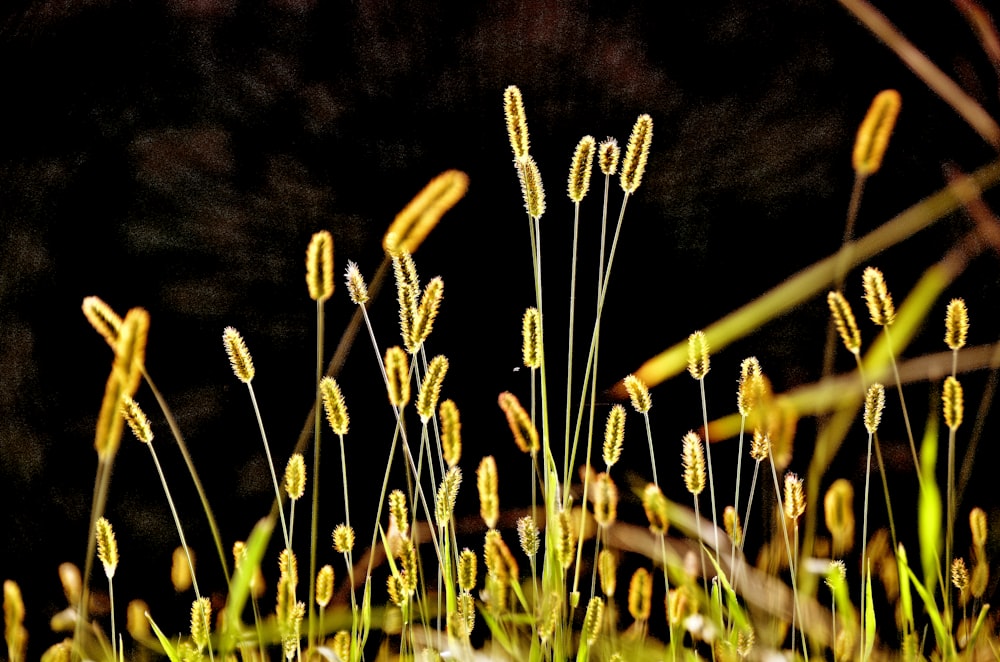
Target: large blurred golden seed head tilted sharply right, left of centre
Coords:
[[412, 225]]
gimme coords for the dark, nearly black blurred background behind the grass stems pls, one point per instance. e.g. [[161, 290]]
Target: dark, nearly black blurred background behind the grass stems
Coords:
[[178, 155]]
